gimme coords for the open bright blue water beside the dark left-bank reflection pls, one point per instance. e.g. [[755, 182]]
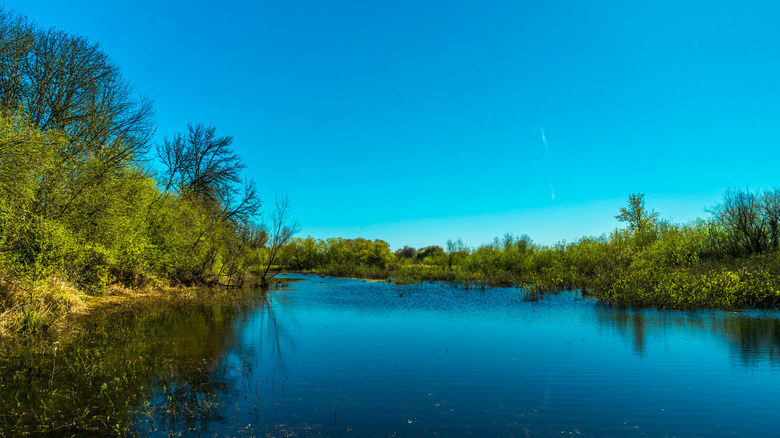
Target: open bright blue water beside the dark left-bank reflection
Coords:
[[338, 357]]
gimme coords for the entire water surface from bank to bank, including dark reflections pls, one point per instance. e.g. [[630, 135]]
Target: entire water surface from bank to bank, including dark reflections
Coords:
[[338, 357]]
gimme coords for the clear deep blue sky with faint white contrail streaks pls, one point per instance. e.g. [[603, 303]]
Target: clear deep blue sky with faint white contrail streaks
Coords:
[[419, 121]]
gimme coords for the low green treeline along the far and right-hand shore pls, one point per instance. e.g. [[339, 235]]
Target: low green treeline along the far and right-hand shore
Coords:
[[730, 260]]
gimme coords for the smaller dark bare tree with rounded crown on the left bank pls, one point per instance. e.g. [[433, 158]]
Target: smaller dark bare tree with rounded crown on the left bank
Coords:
[[201, 169]]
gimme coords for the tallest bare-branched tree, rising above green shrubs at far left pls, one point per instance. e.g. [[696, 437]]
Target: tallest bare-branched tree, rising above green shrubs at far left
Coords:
[[65, 85]]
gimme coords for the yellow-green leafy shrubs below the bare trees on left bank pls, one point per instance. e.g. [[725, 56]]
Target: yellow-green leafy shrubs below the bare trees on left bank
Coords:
[[118, 228]]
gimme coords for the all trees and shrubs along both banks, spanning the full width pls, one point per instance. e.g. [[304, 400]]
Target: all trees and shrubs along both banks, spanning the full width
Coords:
[[78, 205]]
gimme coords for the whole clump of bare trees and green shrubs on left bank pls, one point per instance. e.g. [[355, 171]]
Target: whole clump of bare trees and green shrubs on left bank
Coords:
[[87, 202]]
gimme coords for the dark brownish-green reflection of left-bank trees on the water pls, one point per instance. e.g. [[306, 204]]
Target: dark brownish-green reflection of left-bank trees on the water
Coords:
[[150, 368]]
